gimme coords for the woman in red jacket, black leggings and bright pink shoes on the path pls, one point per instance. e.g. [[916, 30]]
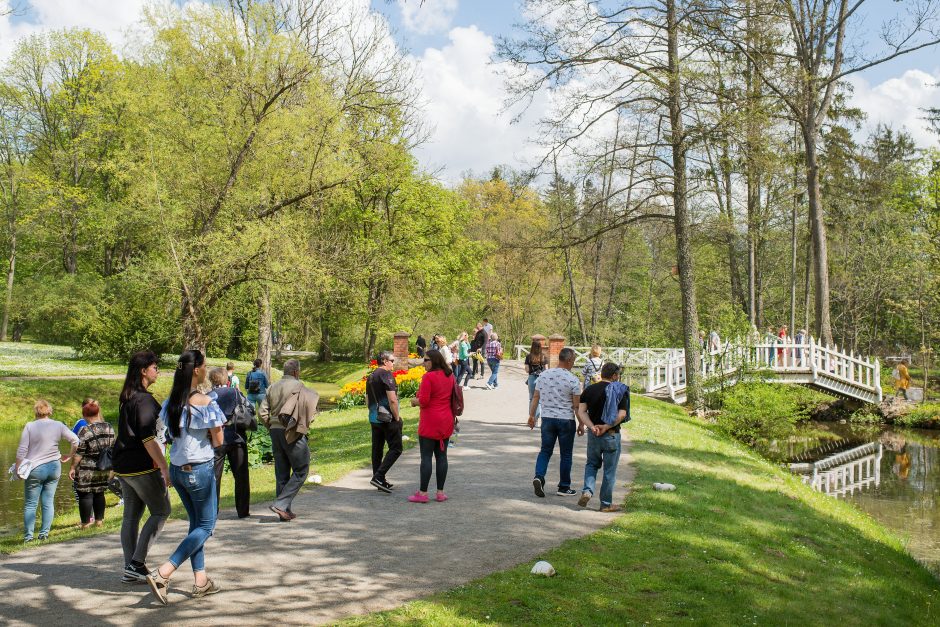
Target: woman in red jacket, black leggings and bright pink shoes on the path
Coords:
[[436, 422]]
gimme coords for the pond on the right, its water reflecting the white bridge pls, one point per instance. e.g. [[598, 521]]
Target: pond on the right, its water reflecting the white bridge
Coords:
[[892, 474]]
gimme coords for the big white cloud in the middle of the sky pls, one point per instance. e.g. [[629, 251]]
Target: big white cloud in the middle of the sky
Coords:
[[464, 98]]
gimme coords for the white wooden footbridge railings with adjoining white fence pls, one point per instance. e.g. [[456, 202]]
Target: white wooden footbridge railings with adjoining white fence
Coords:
[[824, 368]]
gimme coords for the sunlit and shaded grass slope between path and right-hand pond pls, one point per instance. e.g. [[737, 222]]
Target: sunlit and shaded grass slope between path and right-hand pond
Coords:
[[740, 541]]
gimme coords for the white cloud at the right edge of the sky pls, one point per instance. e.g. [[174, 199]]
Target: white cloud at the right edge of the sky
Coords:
[[899, 102]]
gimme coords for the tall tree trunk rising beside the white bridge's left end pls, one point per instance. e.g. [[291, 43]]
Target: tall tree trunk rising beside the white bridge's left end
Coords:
[[681, 220]]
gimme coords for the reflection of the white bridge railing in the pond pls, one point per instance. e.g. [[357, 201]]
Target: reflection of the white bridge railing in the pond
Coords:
[[844, 471]]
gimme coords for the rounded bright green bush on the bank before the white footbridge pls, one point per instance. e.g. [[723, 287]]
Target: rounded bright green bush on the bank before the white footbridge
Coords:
[[756, 412]]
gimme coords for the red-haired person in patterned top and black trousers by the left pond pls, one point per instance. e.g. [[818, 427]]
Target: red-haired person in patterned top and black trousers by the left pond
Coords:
[[90, 483]]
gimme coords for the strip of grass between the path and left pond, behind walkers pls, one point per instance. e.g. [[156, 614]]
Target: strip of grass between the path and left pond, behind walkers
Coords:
[[340, 442]]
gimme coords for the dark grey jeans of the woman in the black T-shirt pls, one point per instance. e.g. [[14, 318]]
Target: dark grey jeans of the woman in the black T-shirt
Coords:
[[141, 491]]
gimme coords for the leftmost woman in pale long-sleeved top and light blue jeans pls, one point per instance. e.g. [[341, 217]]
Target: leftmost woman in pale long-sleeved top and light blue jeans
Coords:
[[38, 451]]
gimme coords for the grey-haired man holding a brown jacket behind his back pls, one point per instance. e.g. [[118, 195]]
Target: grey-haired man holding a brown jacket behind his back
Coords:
[[287, 412]]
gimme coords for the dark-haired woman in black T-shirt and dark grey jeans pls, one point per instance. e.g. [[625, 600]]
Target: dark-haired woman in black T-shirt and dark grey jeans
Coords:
[[139, 462]]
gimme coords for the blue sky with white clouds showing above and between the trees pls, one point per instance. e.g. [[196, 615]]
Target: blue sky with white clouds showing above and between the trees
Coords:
[[452, 42]]
